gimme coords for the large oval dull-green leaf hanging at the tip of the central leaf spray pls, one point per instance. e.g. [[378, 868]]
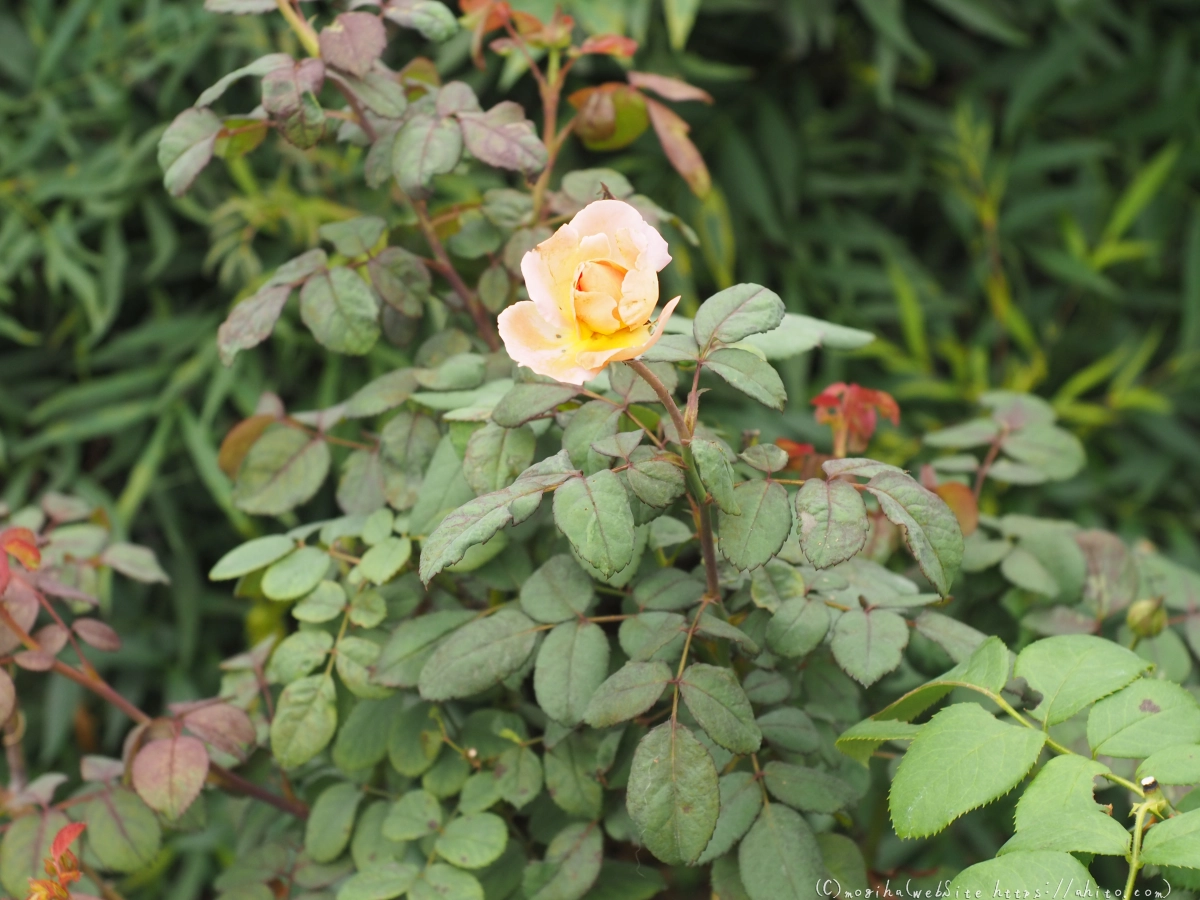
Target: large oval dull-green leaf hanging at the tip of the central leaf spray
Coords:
[[674, 795]]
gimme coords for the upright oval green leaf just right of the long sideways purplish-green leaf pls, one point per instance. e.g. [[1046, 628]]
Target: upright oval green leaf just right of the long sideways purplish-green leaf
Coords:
[[573, 663]]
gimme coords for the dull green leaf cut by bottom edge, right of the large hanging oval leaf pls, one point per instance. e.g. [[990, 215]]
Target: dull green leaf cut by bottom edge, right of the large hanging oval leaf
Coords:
[[779, 859]]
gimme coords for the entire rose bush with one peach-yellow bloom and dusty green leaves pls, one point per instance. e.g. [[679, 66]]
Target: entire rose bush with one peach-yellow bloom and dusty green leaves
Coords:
[[653, 681]]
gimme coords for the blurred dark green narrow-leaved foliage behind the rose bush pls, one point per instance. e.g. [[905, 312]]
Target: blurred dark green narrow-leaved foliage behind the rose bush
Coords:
[[880, 165]]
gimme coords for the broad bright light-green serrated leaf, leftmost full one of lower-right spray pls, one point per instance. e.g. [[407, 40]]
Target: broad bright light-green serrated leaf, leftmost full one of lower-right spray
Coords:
[[961, 760]]
